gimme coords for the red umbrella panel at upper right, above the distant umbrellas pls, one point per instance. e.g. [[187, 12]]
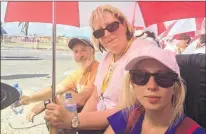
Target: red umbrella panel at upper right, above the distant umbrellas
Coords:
[[157, 12]]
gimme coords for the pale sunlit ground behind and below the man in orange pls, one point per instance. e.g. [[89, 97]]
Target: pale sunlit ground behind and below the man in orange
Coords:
[[32, 69]]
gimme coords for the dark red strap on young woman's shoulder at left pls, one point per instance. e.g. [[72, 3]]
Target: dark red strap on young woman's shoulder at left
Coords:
[[133, 118]]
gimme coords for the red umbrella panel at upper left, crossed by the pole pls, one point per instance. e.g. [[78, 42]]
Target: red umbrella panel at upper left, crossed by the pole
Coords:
[[66, 12]]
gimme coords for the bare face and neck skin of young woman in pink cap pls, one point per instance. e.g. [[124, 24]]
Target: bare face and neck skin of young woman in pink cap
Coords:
[[157, 115]]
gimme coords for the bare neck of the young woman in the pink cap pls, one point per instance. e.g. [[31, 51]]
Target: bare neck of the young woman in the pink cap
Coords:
[[159, 118]]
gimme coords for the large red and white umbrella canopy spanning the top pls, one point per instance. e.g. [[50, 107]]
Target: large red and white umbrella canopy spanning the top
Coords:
[[141, 14]]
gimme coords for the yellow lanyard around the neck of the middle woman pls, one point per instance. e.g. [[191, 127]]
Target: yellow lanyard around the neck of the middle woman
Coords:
[[110, 70]]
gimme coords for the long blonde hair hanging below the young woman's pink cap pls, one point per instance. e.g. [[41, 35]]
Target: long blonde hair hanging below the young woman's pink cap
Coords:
[[128, 97]]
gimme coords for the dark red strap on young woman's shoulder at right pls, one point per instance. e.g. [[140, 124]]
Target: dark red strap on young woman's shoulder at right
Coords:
[[187, 126]]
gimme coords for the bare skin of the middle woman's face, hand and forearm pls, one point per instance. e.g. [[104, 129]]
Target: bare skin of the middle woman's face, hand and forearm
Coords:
[[89, 118]]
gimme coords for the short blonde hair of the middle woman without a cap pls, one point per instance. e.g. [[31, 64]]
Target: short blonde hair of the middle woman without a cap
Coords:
[[98, 13]]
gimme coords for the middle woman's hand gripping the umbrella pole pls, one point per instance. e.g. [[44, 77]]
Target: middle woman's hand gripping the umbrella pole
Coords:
[[57, 115]]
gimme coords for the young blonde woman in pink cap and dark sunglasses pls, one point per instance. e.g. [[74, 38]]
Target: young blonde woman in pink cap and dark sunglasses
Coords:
[[153, 96]]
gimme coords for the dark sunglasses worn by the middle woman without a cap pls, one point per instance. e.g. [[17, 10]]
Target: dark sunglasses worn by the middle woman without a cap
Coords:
[[111, 28]]
